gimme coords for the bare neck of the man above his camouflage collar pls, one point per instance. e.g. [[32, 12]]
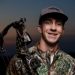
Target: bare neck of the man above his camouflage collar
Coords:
[[43, 46]]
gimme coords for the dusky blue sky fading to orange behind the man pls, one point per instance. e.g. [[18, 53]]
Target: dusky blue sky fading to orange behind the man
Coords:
[[13, 10]]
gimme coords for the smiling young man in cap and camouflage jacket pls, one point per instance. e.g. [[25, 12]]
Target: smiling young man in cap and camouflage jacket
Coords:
[[46, 58]]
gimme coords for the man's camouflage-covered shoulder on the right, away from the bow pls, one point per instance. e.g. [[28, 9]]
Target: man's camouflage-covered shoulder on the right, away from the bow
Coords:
[[66, 61]]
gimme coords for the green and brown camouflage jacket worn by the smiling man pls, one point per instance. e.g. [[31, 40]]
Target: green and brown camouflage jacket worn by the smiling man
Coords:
[[39, 63]]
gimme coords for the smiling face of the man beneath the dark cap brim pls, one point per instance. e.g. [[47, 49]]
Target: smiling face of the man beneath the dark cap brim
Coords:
[[51, 30]]
